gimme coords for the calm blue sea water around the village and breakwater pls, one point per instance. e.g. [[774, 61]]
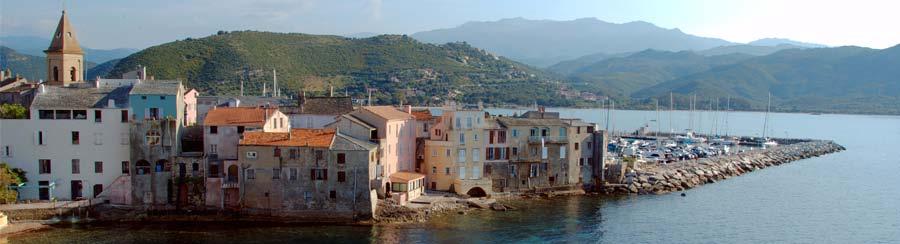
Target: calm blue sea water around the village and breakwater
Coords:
[[848, 197]]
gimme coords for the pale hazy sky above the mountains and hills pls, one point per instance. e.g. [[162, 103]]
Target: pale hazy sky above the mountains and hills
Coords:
[[139, 24]]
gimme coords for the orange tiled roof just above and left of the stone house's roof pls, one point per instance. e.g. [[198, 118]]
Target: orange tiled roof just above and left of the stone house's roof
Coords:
[[253, 116]]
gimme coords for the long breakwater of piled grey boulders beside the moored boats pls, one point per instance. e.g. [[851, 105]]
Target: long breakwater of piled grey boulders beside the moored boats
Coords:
[[678, 176]]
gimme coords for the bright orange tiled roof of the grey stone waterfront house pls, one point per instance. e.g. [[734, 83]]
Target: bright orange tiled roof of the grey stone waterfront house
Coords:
[[296, 138]]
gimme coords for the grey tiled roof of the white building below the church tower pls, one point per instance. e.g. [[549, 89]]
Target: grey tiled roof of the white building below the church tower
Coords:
[[80, 97]]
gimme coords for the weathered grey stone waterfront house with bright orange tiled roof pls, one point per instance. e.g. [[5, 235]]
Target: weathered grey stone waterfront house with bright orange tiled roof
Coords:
[[307, 173]]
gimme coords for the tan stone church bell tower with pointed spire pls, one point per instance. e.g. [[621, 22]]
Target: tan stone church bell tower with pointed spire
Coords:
[[65, 59]]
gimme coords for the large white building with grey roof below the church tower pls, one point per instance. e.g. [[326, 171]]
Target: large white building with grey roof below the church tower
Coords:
[[75, 143]]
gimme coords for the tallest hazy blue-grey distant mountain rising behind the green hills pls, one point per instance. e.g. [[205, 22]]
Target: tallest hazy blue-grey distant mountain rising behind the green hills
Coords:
[[546, 42]]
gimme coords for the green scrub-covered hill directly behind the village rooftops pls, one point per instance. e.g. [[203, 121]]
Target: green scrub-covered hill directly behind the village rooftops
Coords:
[[399, 67]]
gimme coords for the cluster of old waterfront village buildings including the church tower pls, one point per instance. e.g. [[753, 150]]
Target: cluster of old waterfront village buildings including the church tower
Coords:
[[155, 144]]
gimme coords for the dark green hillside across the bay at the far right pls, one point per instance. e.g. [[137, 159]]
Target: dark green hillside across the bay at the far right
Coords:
[[844, 79]]
